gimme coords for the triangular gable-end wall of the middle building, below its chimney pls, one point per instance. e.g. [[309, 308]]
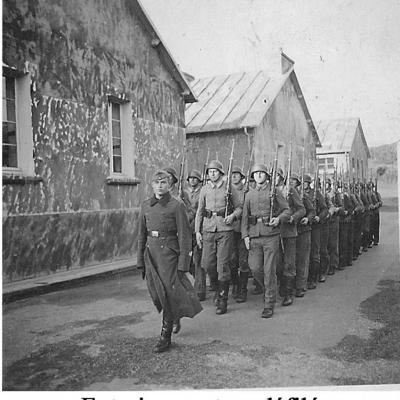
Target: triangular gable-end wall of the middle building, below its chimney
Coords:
[[285, 122]]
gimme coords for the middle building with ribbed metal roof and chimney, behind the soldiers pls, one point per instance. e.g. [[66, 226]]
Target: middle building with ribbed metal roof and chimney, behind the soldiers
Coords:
[[259, 110]]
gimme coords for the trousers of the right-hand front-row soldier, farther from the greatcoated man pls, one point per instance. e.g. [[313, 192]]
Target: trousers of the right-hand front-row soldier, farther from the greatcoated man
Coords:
[[263, 261]]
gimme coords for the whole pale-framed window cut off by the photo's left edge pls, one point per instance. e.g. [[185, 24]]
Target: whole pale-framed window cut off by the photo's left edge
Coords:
[[17, 124]]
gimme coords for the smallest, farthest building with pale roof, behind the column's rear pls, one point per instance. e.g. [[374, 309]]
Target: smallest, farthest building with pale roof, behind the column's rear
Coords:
[[343, 147]]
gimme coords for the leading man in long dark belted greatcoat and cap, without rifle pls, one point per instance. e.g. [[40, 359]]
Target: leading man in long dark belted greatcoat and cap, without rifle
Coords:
[[164, 249]]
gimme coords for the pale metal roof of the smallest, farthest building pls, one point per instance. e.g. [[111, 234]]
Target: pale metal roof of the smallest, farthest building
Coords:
[[337, 135]]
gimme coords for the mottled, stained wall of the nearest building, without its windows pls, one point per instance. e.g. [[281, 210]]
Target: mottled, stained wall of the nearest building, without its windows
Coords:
[[79, 52]]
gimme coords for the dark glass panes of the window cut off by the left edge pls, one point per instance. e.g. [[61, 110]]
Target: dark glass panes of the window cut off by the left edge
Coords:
[[9, 124]]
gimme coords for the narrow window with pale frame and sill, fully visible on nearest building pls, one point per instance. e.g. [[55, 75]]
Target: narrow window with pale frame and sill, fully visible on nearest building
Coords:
[[122, 148]]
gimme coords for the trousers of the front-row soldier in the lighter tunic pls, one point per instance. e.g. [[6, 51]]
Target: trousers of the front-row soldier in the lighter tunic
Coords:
[[217, 253]]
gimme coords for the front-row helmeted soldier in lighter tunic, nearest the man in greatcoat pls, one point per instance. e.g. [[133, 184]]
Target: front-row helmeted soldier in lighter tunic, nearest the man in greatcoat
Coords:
[[216, 237]]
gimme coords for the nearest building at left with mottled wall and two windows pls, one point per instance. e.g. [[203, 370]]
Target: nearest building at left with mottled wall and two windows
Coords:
[[93, 102]]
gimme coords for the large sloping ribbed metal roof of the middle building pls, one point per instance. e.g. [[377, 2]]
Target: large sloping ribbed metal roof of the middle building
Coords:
[[232, 101]]
